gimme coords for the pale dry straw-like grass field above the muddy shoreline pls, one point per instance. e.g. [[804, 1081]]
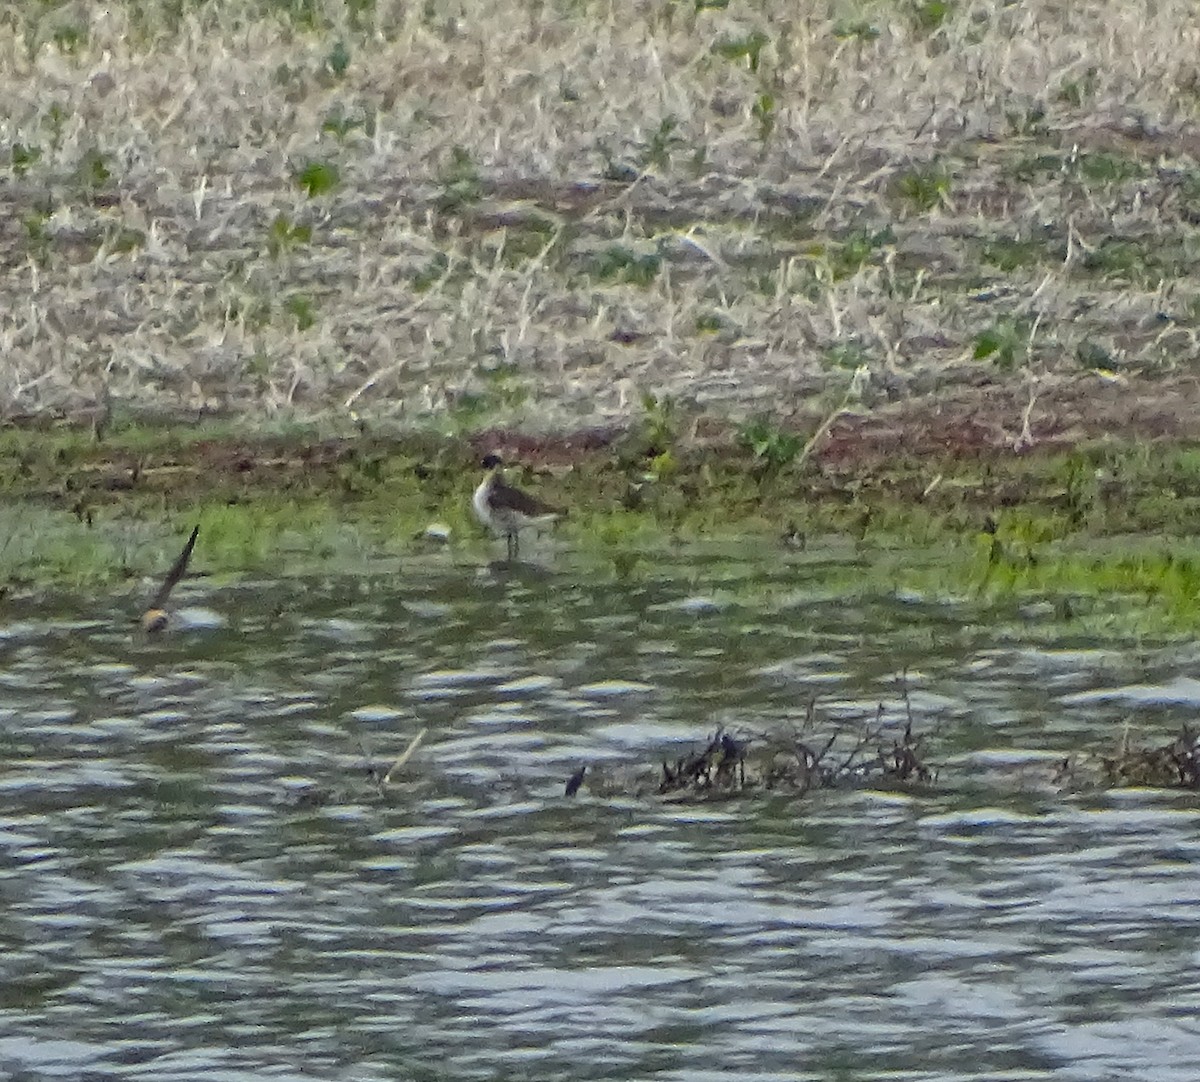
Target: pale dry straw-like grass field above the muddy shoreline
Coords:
[[884, 190]]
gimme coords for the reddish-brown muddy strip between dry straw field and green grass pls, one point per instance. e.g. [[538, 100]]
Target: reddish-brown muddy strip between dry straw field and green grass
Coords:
[[1012, 428]]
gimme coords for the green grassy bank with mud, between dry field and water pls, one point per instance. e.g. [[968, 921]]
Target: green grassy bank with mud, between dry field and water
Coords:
[[1102, 532]]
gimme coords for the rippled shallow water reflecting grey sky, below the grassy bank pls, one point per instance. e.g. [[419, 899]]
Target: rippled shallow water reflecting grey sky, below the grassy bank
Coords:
[[199, 880]]
